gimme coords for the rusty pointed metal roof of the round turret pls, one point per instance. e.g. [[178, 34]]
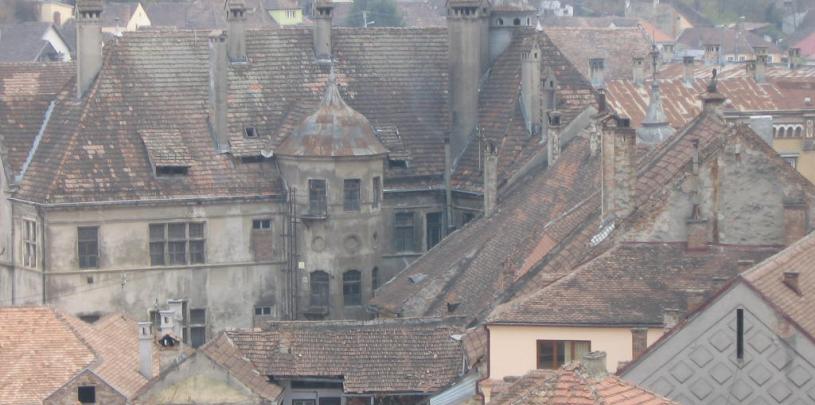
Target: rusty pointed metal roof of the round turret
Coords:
[[334, 130]]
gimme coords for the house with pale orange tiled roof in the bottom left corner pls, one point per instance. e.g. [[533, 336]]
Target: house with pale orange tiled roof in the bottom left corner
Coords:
[[54, 358]]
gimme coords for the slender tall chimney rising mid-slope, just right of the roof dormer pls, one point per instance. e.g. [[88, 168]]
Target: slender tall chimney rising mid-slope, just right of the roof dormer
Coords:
[[218, 89]]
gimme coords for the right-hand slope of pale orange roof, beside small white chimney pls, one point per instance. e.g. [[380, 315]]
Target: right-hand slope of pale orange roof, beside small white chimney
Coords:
[[115, 340]]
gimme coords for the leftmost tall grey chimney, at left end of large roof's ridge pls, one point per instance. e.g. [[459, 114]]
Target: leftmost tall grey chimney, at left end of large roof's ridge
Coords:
[[88, 43]]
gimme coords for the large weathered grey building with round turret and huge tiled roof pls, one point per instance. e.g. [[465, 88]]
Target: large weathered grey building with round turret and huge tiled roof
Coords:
[[204, 187]]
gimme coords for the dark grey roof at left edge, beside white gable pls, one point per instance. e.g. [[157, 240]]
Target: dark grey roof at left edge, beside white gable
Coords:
[[22, 42]]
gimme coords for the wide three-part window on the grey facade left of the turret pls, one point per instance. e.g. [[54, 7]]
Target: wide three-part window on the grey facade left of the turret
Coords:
[[177, 243]]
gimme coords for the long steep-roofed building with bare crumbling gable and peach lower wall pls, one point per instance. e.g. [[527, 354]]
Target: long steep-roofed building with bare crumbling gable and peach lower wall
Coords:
[[637, 230]]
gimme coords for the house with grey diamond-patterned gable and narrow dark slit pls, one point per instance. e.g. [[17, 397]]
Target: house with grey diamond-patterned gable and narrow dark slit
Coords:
[[751, 342]]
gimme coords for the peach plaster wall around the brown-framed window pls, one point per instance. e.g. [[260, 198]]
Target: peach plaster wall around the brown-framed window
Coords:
[[513, 349]]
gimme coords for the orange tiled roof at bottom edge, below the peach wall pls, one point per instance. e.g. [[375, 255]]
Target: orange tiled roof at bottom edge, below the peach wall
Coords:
[[571, 385]]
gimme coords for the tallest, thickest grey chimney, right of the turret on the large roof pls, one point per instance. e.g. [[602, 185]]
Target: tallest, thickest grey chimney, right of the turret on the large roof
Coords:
[[465, 21]]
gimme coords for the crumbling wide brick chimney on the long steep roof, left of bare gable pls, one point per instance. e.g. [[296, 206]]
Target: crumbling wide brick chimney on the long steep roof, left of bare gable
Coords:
[[619, 169]]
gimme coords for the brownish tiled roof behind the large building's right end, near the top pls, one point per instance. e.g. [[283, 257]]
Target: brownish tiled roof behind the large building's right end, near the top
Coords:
[[617, 46]]
